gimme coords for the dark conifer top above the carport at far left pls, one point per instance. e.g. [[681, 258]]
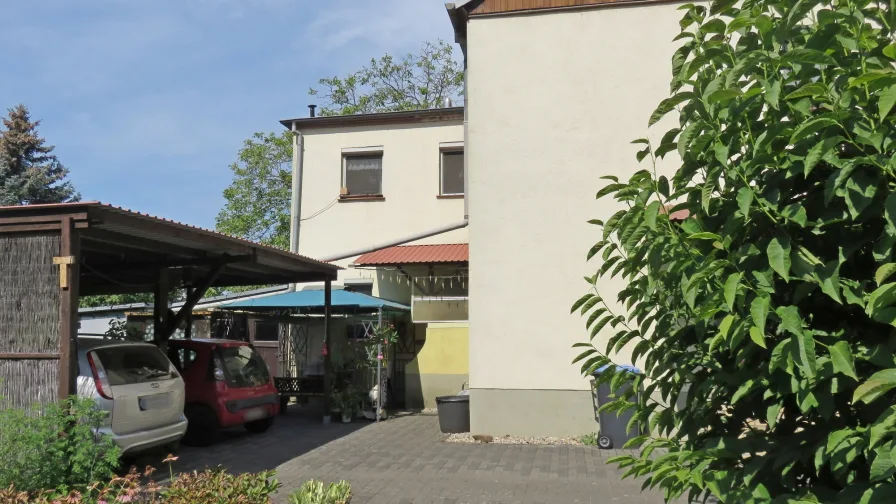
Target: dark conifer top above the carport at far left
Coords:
[[29, 171]]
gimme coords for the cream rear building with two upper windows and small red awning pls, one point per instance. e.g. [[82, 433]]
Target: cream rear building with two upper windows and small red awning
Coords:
[[372, 181]]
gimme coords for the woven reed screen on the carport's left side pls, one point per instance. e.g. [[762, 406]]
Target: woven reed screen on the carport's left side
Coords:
[[29, 318]]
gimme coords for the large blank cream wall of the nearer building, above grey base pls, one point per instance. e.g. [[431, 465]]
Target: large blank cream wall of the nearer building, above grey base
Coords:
[[554, 100]]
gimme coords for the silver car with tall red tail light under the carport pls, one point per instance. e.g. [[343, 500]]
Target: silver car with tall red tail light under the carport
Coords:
[[139, 387]]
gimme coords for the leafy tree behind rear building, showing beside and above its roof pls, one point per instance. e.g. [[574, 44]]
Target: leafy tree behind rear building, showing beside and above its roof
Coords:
[[257, 206]]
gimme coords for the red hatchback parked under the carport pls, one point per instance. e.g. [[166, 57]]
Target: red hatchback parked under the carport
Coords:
[[227, 384]]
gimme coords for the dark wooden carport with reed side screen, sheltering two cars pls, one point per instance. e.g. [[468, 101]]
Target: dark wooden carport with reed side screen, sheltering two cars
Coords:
[[50, 255]]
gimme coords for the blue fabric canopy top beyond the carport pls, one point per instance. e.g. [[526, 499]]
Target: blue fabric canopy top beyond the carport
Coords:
[[314, 300]]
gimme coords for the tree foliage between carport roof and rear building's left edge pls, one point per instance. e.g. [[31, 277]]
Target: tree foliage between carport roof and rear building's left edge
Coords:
[[258, 199]]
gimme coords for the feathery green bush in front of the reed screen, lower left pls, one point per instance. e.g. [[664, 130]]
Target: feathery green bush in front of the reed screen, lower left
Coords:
[[57, 448]]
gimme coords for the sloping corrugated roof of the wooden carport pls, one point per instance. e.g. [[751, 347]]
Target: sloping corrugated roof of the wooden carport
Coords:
[[124, 251]]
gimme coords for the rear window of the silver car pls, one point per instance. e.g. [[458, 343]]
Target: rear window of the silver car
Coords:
[[129, 364]]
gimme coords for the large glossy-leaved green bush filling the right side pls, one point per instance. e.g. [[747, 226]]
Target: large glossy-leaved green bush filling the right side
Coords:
[[764, 322]]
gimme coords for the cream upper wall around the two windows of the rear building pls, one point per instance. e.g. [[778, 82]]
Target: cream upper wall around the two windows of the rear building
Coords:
[[411, 170]]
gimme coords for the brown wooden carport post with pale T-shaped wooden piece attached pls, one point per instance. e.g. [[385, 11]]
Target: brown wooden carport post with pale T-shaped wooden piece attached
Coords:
[[69, 255]]
